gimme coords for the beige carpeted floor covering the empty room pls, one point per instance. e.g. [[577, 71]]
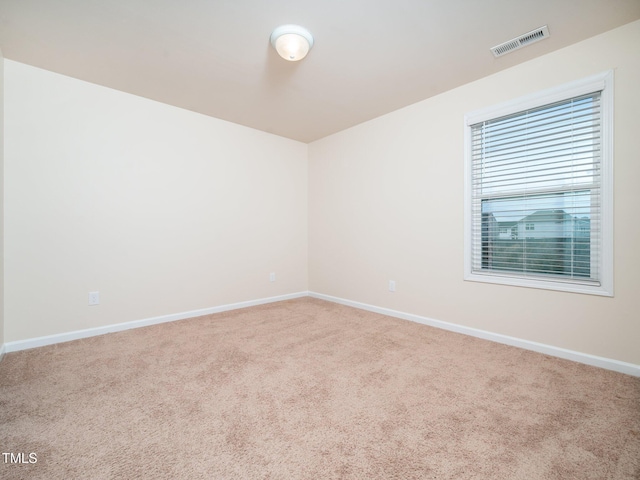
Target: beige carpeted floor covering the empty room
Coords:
[[306, 389]]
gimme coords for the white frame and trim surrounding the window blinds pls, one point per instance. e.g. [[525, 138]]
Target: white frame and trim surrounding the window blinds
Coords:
[[602, 82]]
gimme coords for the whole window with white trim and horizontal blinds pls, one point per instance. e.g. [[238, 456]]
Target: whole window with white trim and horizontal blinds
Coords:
[[540, 168]]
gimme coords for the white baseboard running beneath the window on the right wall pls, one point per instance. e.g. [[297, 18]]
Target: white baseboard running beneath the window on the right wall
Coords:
[[607, 363]]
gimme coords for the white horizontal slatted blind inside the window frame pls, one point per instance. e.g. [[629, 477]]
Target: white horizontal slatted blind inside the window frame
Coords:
[[536, 192]]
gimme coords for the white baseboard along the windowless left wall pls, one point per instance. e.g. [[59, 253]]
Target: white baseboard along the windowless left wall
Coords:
[[92, 332]]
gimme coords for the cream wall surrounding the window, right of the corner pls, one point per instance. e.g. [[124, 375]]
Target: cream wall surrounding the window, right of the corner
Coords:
[[386, 203]]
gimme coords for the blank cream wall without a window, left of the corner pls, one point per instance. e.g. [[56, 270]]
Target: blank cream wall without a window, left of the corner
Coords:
[[159, 209]]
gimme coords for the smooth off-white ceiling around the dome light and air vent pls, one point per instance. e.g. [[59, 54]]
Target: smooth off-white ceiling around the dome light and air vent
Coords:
[[214, 57]]
